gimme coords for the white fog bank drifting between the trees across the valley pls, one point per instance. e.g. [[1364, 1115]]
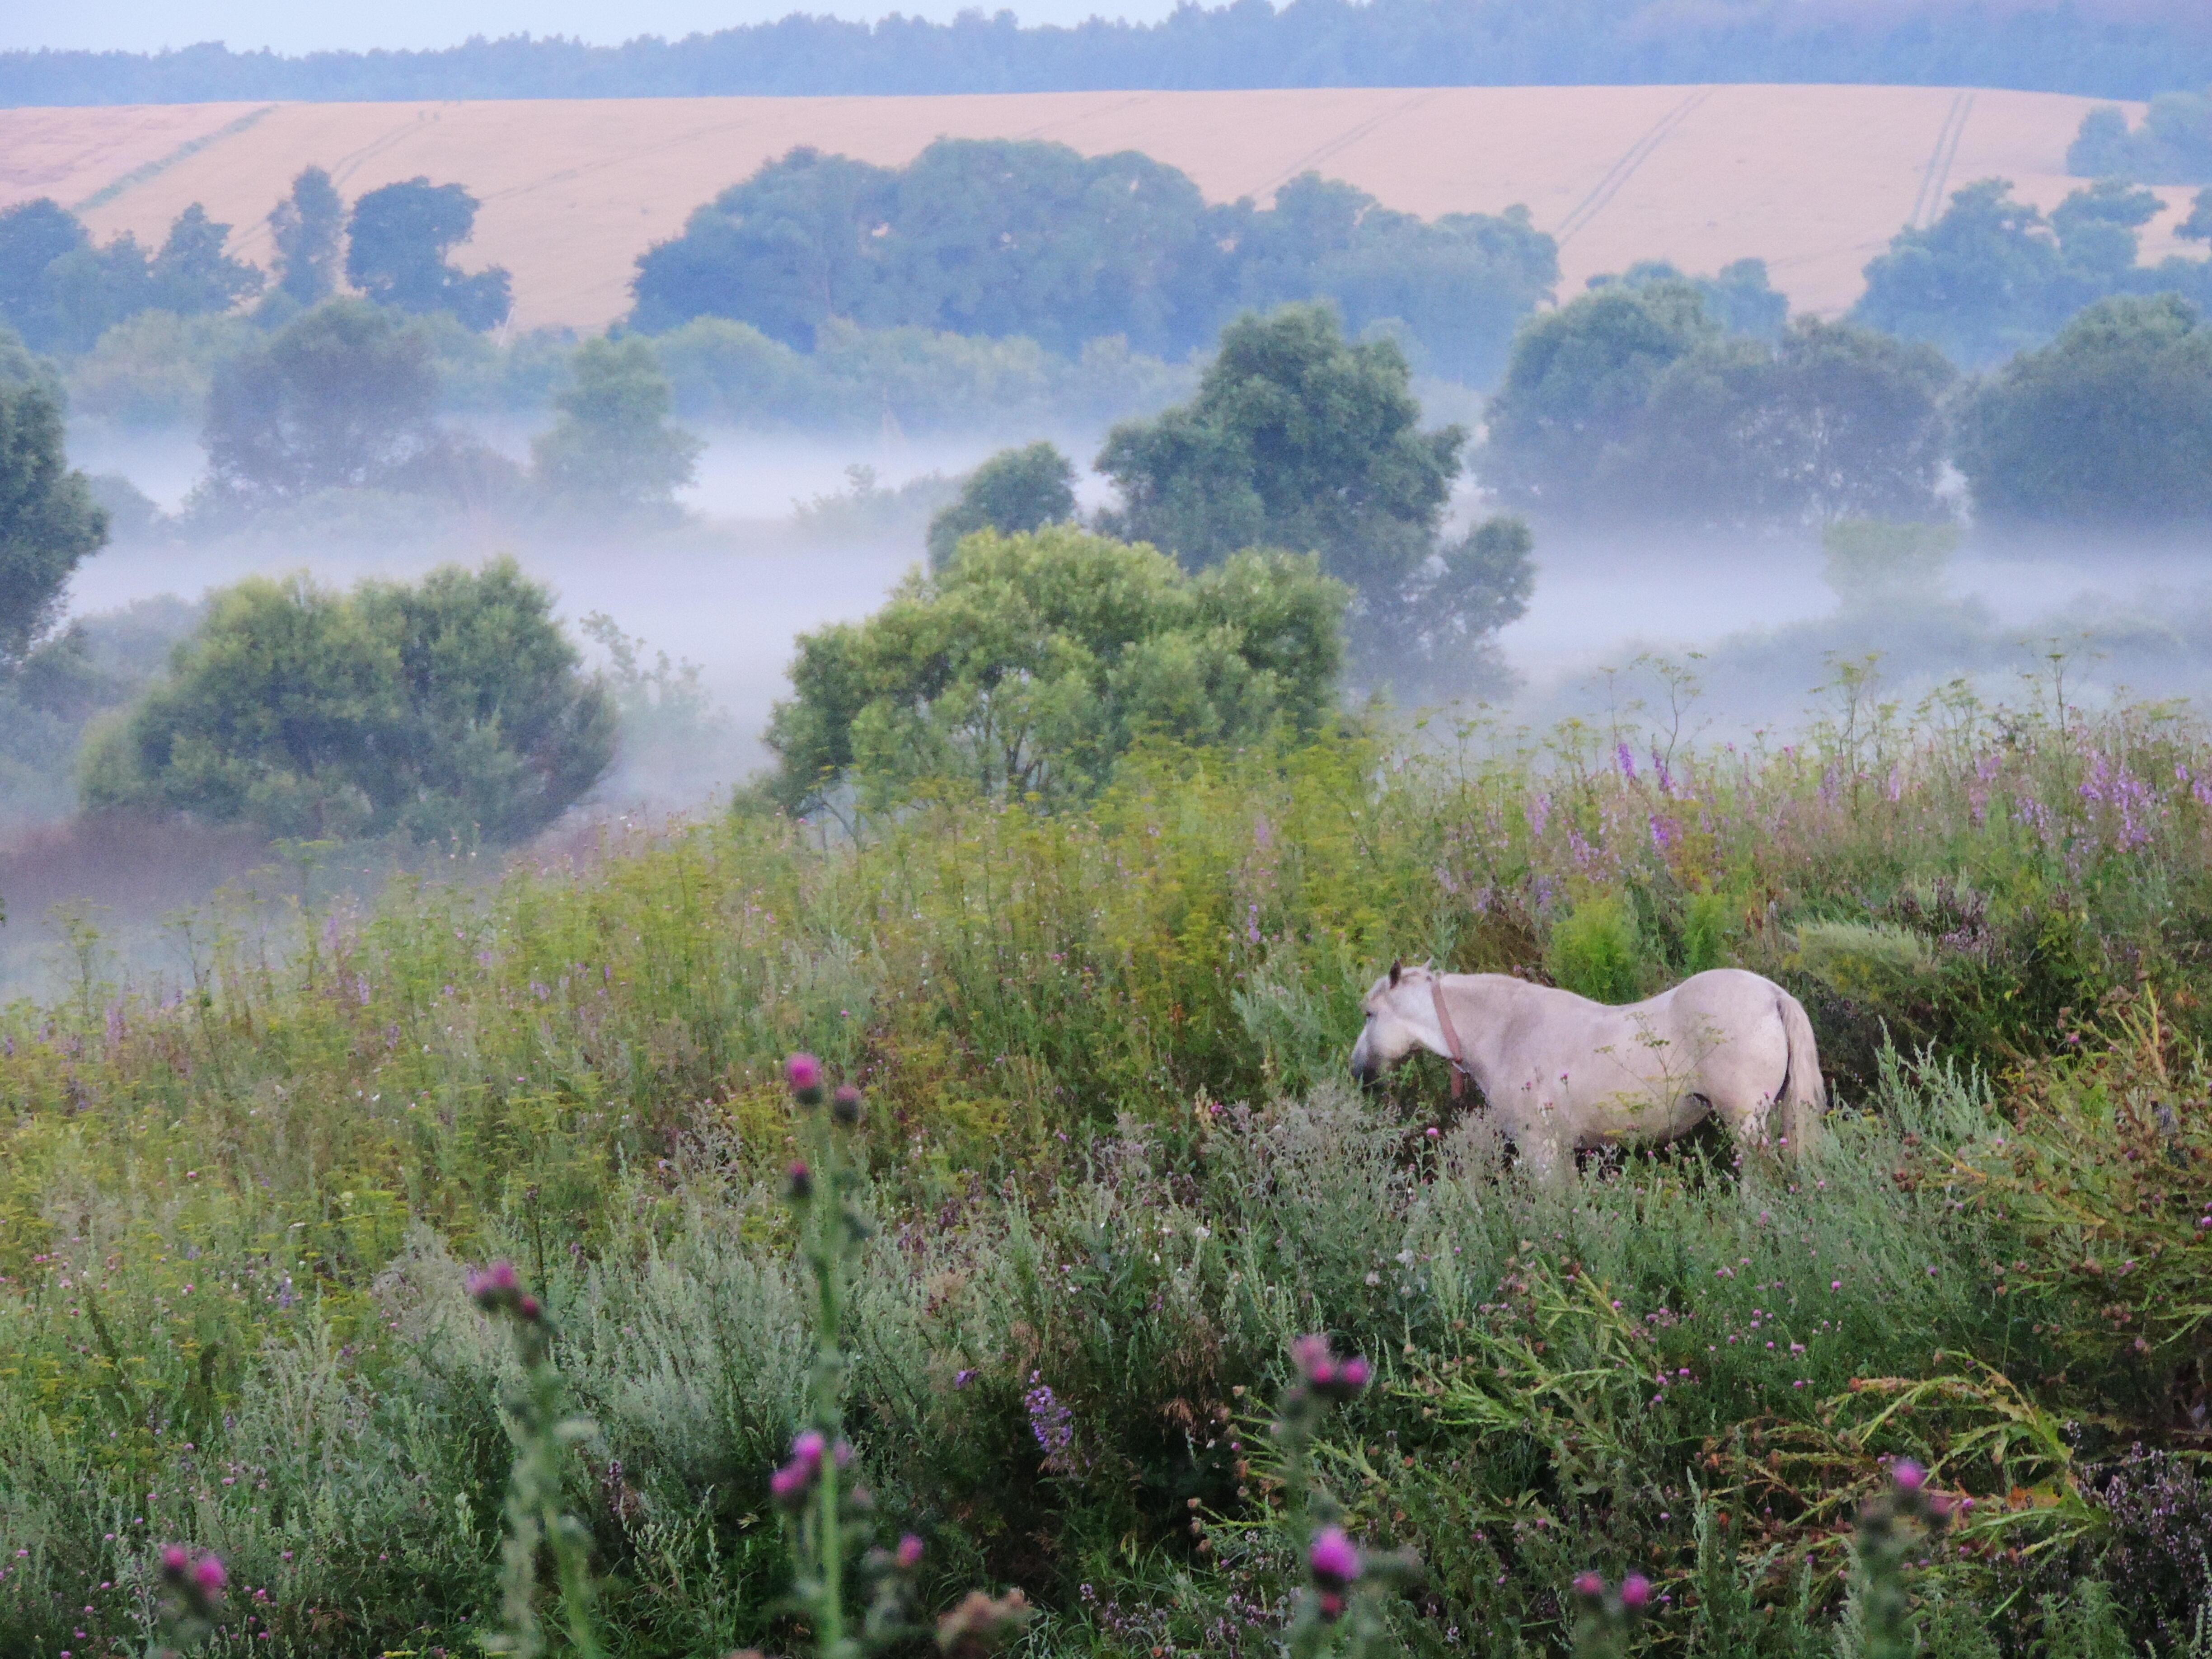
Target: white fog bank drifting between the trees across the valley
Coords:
[[780, 539]]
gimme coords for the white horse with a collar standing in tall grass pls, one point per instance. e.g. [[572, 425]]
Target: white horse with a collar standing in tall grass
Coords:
[[1565, 1074]]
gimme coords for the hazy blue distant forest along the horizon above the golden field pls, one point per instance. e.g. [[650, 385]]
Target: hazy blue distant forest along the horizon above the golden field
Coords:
[[1308, 43]]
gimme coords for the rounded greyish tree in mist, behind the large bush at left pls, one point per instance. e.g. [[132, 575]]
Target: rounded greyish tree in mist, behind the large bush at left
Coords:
[[340, 397]]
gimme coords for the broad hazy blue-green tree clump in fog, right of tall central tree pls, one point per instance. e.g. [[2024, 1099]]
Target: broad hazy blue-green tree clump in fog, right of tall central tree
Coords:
[[1631, 401]]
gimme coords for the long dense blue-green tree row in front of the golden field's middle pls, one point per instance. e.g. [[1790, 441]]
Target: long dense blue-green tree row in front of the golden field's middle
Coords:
[[1012, 238]]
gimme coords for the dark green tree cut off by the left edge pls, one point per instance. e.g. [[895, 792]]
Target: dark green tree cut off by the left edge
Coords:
[[48, 512]]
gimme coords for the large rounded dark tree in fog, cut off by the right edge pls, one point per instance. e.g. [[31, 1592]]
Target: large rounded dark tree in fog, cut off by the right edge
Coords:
[[2111, 424]]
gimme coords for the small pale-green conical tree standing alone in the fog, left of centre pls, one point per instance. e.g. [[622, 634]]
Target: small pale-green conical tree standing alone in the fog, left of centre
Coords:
[[614, 444]]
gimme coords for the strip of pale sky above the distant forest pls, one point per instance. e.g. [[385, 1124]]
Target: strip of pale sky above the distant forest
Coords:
[[322, 25]]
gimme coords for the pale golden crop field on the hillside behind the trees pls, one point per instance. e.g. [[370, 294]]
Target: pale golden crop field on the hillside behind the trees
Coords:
[[1811, 178]]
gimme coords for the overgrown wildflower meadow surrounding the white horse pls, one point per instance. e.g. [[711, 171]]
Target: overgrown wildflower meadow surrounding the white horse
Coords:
[[1105, 1178]]
